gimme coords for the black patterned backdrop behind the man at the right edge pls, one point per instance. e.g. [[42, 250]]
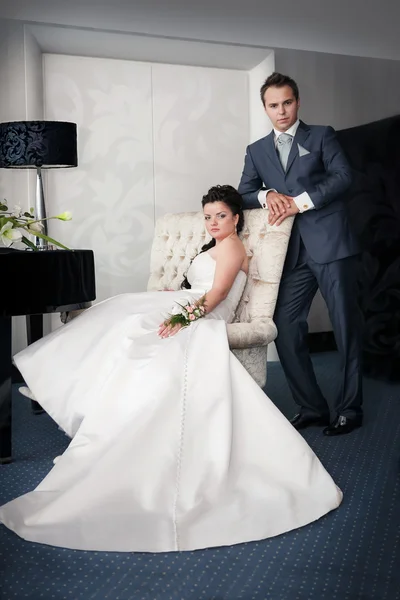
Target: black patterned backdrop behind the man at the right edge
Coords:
[[374, 200]]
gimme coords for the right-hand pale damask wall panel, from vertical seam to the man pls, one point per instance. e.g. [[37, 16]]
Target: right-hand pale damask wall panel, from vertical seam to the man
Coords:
[[201, 130]]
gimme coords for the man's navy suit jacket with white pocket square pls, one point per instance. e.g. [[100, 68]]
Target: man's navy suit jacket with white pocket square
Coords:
[[319, 168]]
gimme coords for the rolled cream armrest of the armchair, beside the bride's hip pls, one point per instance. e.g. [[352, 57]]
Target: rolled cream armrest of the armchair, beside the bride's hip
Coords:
[[251, 335]]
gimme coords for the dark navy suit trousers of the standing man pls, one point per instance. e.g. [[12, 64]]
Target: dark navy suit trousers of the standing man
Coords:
[[337, 282]]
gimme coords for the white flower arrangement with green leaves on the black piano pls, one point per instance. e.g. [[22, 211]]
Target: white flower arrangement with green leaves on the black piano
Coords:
[[14, 225]]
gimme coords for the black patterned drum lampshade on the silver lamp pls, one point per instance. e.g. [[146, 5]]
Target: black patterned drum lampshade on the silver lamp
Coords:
[[30, 144]]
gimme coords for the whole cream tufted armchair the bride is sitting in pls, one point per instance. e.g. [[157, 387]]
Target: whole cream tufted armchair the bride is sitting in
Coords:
[[177, 240]]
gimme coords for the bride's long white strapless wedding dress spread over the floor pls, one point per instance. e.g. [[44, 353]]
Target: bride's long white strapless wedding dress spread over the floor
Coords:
[[174, 446]]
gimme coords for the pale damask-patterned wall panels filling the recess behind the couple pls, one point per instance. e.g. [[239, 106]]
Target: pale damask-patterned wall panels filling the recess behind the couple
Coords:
[[152, 139]]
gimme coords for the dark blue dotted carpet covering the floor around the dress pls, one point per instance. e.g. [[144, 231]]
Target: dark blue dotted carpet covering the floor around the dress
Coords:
[[353, 553]]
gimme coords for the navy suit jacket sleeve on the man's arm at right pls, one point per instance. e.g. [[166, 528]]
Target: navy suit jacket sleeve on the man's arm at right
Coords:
[[337, 172]]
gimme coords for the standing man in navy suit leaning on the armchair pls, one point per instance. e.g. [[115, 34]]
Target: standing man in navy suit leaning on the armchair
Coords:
[[300, 170]]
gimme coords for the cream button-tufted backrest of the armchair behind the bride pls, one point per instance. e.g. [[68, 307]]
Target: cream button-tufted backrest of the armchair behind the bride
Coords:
[[179, 237]]
